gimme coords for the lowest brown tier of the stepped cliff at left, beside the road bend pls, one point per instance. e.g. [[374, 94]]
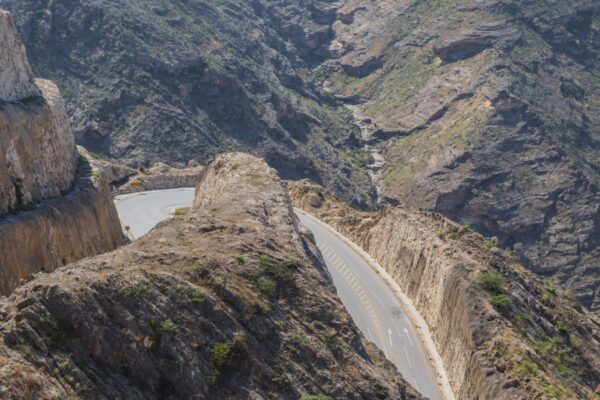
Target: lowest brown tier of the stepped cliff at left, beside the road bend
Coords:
[[59, 231]]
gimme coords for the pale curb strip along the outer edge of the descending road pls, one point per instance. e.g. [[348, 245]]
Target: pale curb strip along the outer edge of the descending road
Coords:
[[411, 311]]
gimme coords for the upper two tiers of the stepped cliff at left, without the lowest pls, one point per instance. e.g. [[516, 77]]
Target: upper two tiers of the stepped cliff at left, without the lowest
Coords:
[[38, 158]]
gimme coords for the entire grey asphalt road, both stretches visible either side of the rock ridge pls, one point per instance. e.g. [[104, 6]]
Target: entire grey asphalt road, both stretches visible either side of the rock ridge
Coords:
[[367, 297]]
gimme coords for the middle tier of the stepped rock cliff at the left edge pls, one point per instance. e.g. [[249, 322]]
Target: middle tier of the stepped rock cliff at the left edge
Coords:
[[37, 150]]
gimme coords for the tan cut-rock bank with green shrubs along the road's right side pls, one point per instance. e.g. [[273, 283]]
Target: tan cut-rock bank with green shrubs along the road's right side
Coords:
[[502, 332]]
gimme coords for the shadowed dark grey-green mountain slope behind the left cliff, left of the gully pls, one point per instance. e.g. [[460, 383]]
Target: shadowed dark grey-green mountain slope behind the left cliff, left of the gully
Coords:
[[150, 81]]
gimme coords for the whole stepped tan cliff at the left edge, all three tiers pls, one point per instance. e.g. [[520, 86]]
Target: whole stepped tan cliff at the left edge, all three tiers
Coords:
[[55, 204]]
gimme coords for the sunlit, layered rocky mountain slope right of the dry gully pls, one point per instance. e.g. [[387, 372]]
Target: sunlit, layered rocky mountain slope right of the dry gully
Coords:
[[486, 111]]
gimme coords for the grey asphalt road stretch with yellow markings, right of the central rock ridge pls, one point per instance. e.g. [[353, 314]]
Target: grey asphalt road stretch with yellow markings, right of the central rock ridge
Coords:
[[374, 308]]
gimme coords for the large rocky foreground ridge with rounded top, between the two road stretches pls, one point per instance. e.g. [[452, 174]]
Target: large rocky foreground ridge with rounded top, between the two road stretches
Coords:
[[229, 301]]
